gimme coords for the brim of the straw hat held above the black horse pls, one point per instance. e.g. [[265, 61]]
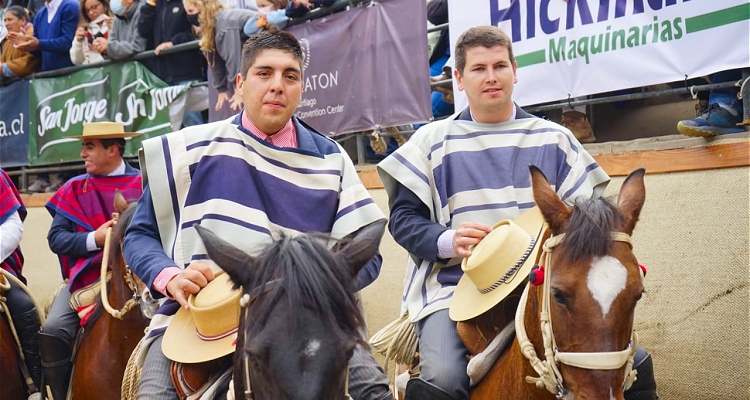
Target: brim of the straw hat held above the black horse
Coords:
[[182, 344]]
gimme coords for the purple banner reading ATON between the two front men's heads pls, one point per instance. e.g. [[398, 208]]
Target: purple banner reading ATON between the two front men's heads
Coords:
[[365, 68]]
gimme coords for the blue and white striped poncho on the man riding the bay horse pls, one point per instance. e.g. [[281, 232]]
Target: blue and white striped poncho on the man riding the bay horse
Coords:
[[468, 171]]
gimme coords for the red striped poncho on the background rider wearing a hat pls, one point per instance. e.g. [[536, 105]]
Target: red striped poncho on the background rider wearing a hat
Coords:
[[88, 201]]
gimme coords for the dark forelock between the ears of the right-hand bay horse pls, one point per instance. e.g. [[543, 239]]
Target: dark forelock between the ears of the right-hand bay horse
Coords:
[[587, 233]]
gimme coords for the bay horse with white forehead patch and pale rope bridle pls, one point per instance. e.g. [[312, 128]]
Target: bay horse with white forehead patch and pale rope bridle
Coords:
[[592, 283]]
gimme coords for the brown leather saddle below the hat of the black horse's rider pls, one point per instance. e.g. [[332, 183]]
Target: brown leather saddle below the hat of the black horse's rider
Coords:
[[191, 380]]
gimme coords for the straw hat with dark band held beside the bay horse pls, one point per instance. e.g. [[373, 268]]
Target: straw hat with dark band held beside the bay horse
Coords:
[[498, 265]]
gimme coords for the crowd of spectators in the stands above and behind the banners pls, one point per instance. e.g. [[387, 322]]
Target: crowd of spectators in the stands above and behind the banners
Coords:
[[44, 35]]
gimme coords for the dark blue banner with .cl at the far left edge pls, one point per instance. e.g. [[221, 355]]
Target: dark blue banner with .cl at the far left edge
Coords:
[[15, 127]]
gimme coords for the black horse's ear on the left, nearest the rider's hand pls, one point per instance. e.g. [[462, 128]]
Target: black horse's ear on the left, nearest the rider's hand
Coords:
[[232, 260]]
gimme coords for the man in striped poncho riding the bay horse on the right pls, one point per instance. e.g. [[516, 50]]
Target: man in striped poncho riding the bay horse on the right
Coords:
[[454, 179]]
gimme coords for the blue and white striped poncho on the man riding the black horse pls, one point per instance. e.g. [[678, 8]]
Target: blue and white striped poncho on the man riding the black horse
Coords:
[[234, 183]]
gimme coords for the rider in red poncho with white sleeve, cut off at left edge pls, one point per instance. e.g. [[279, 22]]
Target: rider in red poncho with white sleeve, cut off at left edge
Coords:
[[22, 309]]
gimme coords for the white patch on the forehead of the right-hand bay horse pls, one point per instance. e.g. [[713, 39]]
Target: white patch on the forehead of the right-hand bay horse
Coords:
[[607, 278]]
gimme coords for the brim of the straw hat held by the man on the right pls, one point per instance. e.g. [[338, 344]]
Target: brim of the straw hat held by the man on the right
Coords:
[[468, 302]]
